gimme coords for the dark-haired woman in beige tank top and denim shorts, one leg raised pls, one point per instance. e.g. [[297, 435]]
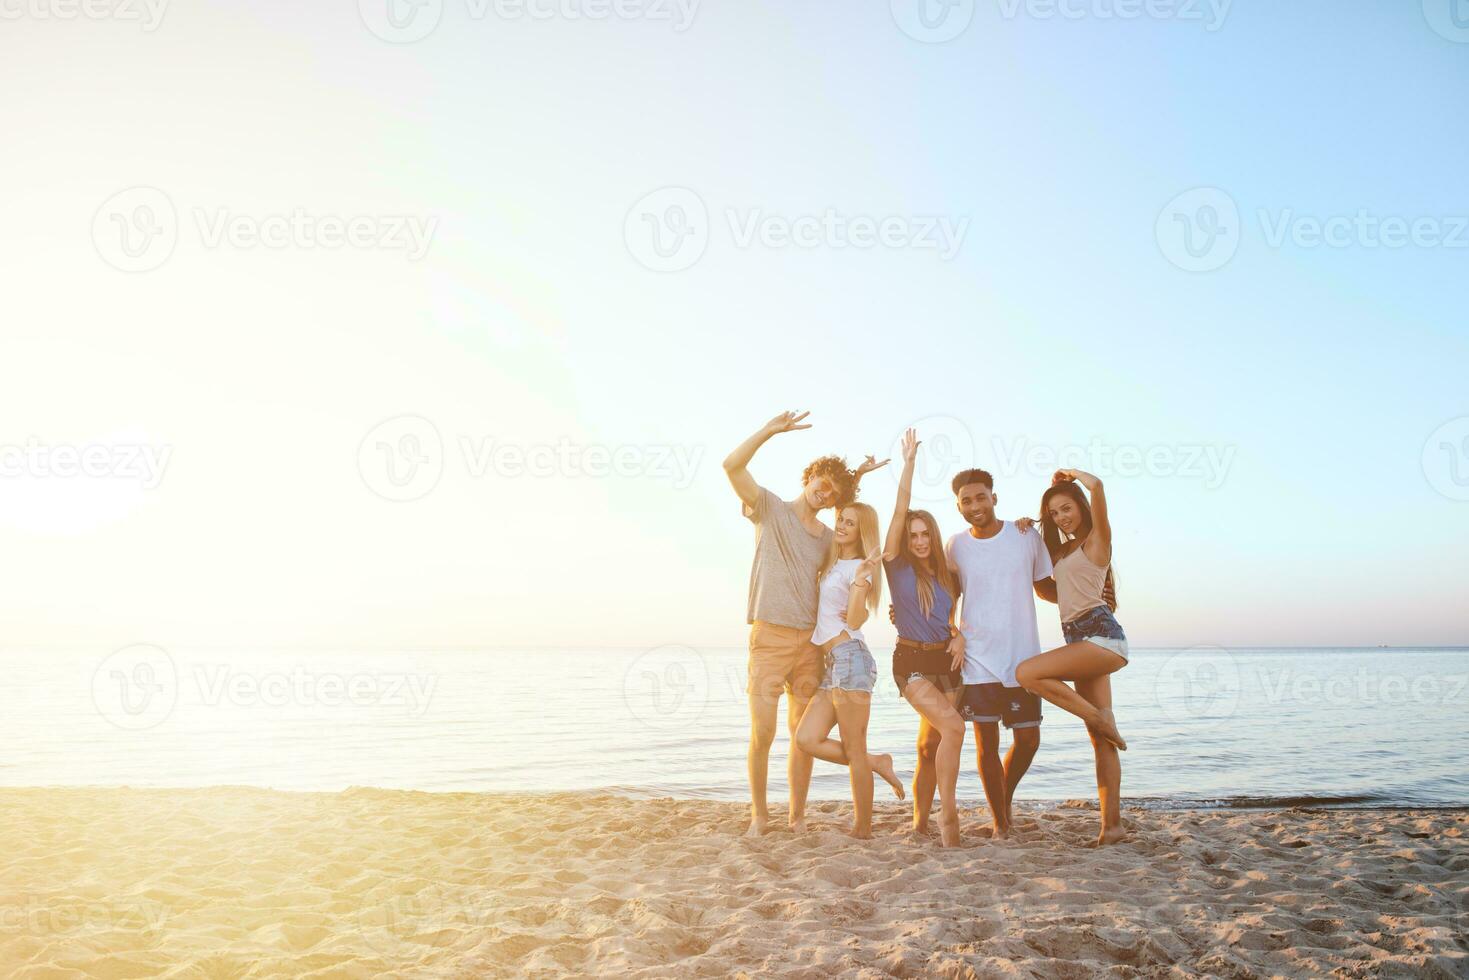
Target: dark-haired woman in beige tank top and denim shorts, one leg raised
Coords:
[[1080, 541]]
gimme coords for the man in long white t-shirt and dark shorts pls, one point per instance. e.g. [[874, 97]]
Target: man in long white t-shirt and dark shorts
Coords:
[[1001, 568]]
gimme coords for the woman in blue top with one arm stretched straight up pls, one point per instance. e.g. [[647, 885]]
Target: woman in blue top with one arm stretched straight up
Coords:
[[929, 660]]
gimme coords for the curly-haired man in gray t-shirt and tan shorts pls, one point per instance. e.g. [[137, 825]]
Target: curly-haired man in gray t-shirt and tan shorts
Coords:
[[790, 547]]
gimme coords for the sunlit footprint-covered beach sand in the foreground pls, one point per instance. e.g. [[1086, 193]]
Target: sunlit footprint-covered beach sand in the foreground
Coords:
[[258, 884]]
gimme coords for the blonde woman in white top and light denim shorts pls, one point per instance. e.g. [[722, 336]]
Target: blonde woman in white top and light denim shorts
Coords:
[[850, 591]]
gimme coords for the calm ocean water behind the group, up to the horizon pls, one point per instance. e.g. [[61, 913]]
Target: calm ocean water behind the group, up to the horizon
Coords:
[[1205, 727]]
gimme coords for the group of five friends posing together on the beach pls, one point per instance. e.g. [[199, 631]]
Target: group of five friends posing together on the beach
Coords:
[[969, 647]]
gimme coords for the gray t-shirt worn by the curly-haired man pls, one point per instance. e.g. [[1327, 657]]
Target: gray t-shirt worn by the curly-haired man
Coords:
[[784, 580]]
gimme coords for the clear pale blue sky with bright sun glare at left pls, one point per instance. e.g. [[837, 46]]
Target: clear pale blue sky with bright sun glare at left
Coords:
[[430, 327]]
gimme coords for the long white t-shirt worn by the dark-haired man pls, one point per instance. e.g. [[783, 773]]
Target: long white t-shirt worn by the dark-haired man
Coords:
[[998, 577]]
